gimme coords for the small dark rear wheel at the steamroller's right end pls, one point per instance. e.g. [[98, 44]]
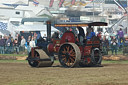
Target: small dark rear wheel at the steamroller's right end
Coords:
[[96, 56]]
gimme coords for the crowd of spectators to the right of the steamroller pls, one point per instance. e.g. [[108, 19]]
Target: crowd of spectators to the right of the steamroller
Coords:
[[115, 42]]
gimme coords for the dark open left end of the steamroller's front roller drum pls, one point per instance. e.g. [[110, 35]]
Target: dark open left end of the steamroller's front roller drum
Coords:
[[33, 63]]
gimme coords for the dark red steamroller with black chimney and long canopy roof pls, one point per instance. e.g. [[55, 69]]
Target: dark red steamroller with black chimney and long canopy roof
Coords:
[[70, 51]]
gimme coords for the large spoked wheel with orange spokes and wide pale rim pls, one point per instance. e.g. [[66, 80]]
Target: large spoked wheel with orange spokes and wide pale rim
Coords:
[[69, 55]]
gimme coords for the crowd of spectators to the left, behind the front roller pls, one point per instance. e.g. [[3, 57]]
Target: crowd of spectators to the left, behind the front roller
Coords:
[[8, 44]]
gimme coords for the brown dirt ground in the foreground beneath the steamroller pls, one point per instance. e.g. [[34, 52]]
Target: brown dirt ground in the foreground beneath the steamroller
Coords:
[[23, 74]]
